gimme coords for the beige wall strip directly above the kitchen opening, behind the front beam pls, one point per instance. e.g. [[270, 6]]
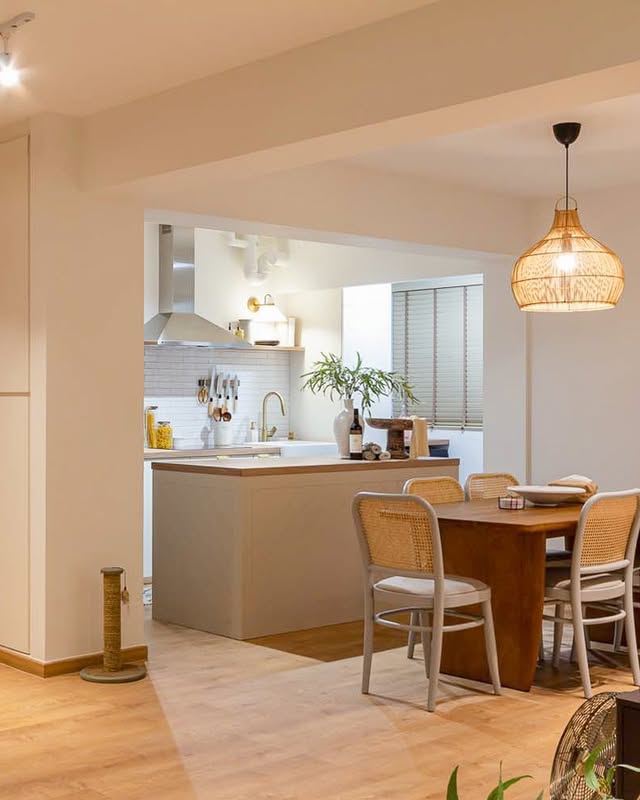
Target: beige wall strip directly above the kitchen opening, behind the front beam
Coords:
[[327, 200]]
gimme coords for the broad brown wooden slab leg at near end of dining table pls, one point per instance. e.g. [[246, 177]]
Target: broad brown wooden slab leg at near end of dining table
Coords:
[[512, 563]]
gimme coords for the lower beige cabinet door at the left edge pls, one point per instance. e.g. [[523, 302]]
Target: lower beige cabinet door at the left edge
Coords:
[[14, 523]]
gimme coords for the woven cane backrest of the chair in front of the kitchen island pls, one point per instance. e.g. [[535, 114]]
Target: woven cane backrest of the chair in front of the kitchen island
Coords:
[[398, 533]]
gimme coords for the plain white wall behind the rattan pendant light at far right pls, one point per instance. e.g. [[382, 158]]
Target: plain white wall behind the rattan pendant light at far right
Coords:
[[584, 366]]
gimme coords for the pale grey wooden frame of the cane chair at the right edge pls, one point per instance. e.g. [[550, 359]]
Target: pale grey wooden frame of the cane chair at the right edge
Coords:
[[594, 585]]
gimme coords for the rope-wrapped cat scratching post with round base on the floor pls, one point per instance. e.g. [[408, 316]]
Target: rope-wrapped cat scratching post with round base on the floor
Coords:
[[112, 669]]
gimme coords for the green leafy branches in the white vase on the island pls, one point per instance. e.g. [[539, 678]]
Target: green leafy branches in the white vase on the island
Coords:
[[330, 375]]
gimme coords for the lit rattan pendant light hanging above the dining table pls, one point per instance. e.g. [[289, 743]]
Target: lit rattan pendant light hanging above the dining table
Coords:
[[568, 270]]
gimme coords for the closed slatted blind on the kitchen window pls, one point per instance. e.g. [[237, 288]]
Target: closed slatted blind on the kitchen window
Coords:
[[437, 345]]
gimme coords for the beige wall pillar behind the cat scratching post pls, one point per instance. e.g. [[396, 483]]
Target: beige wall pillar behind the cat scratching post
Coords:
[[87, 299]]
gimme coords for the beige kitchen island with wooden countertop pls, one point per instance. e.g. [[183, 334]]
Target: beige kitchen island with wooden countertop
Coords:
[[255, 547]]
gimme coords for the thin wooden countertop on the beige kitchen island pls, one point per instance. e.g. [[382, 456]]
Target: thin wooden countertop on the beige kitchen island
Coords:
[[302, 469]]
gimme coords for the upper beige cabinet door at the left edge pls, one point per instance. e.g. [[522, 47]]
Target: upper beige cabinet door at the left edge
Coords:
[[14, 275]]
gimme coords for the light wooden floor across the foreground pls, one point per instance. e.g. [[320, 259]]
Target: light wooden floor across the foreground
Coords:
[[278, 718]]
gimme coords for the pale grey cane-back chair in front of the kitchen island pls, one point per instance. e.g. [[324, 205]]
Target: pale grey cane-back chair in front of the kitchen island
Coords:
[[410, 513]]
